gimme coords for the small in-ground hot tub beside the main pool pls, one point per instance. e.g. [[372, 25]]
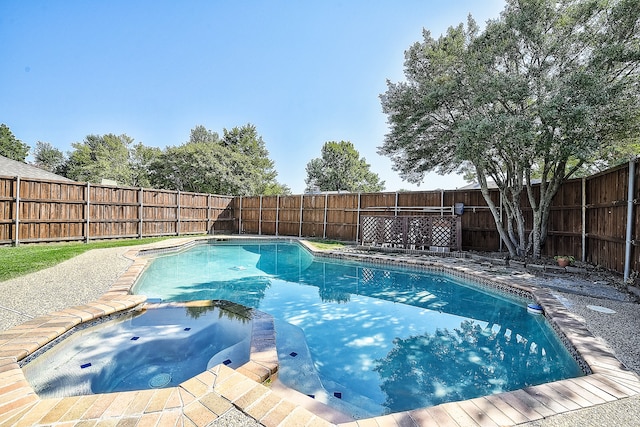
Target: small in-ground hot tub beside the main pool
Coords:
[[159, 346]]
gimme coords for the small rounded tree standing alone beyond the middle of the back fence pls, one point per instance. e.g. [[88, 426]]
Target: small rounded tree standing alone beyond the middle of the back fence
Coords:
[[340, 168]]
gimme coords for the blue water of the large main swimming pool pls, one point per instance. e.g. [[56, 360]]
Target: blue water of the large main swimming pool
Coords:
[[368, 339]]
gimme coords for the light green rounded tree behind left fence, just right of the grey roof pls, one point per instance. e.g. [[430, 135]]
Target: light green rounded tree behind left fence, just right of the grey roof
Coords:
[[101, 157]]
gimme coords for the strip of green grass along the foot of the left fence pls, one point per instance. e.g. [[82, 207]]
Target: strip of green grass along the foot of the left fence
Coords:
[[24, 259]]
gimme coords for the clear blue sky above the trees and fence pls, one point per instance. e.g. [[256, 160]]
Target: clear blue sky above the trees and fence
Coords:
[[303, 72]]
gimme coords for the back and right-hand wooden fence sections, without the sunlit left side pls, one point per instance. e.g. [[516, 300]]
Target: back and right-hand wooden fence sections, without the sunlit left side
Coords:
[[595, 219]]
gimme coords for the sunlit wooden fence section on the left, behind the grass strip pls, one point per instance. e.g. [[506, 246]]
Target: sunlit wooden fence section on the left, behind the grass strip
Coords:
[[33, 210]]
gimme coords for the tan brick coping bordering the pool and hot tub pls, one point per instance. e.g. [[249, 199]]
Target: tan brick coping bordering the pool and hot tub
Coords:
[[207, 396]]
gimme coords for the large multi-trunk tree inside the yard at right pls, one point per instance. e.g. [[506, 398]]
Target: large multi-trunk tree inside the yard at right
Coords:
[[539, 93]]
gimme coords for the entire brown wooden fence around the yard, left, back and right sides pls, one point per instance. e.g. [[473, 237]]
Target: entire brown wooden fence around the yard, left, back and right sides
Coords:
[[594, 219]]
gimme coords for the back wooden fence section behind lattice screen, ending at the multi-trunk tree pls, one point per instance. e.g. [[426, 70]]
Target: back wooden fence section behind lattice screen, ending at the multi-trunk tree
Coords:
[[340, 216]]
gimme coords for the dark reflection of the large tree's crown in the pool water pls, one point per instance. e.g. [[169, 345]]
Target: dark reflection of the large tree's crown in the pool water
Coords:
[[427, 370]]
